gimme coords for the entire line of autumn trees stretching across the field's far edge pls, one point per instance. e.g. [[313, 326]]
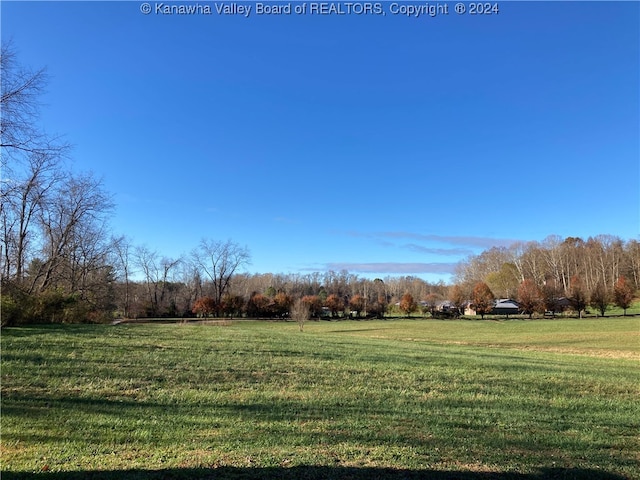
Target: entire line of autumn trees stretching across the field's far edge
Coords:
[[61, 263]]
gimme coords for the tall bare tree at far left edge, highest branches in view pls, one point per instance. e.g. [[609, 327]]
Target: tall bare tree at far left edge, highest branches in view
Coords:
[[30, 162]]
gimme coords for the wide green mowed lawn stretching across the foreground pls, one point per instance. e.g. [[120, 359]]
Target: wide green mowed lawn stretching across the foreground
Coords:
[[463, 399]]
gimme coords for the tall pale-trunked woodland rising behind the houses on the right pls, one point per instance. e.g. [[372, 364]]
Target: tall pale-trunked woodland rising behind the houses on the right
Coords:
[[554, 275]]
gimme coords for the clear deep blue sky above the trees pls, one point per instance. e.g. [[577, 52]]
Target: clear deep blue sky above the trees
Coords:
[[382, 144]]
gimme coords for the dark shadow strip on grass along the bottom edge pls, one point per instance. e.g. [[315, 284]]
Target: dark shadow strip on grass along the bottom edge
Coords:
[[315, 473]]
